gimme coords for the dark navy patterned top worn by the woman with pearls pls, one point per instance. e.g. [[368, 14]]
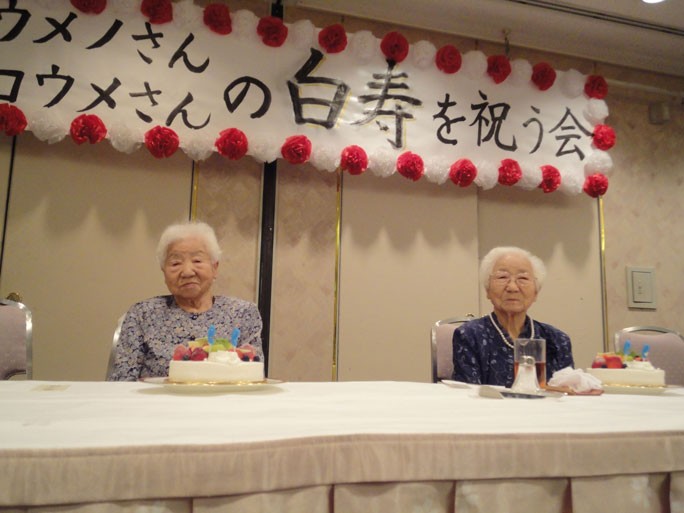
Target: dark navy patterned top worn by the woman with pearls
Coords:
[[481, 357]]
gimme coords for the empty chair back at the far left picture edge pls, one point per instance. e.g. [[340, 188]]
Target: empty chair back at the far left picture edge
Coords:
[[16, 336]]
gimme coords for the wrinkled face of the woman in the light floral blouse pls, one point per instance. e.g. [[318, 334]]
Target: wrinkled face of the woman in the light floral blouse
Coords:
[[188, 269]]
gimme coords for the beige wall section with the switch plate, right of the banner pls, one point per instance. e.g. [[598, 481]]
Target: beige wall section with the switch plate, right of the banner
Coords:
[[644, 212]]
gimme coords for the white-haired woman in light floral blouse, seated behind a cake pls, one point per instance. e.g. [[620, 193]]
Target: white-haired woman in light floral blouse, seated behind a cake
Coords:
[[188, 254]]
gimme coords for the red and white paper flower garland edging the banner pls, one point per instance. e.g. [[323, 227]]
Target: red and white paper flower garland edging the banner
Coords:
[[232, 143]]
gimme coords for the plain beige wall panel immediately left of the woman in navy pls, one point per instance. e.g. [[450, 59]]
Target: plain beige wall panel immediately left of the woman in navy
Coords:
[[409, 258]]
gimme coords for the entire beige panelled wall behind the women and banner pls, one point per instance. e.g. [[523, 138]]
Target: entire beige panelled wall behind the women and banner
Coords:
[[84, 221]]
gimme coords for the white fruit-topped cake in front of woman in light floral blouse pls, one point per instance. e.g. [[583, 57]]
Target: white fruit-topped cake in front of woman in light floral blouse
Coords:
[[217, 363]]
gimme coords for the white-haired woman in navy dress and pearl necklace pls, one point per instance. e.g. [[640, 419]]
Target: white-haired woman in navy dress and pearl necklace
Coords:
[[483, 348]]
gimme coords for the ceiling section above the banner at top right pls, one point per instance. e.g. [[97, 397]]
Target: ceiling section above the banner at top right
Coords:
[[625, 32]]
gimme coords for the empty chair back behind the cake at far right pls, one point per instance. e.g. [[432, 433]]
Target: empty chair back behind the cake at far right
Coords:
[[666, 349]]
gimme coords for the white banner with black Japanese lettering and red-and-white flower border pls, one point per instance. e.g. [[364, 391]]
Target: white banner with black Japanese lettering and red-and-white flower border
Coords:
[[171, 76]]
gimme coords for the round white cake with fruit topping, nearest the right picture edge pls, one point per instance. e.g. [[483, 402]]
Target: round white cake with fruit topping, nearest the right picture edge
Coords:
[[626, 370]]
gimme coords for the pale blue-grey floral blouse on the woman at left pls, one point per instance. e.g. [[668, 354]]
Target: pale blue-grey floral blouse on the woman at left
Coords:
[[152, 328]]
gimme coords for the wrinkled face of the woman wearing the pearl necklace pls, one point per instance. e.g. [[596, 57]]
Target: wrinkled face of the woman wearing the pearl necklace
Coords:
[[512, 288]]
